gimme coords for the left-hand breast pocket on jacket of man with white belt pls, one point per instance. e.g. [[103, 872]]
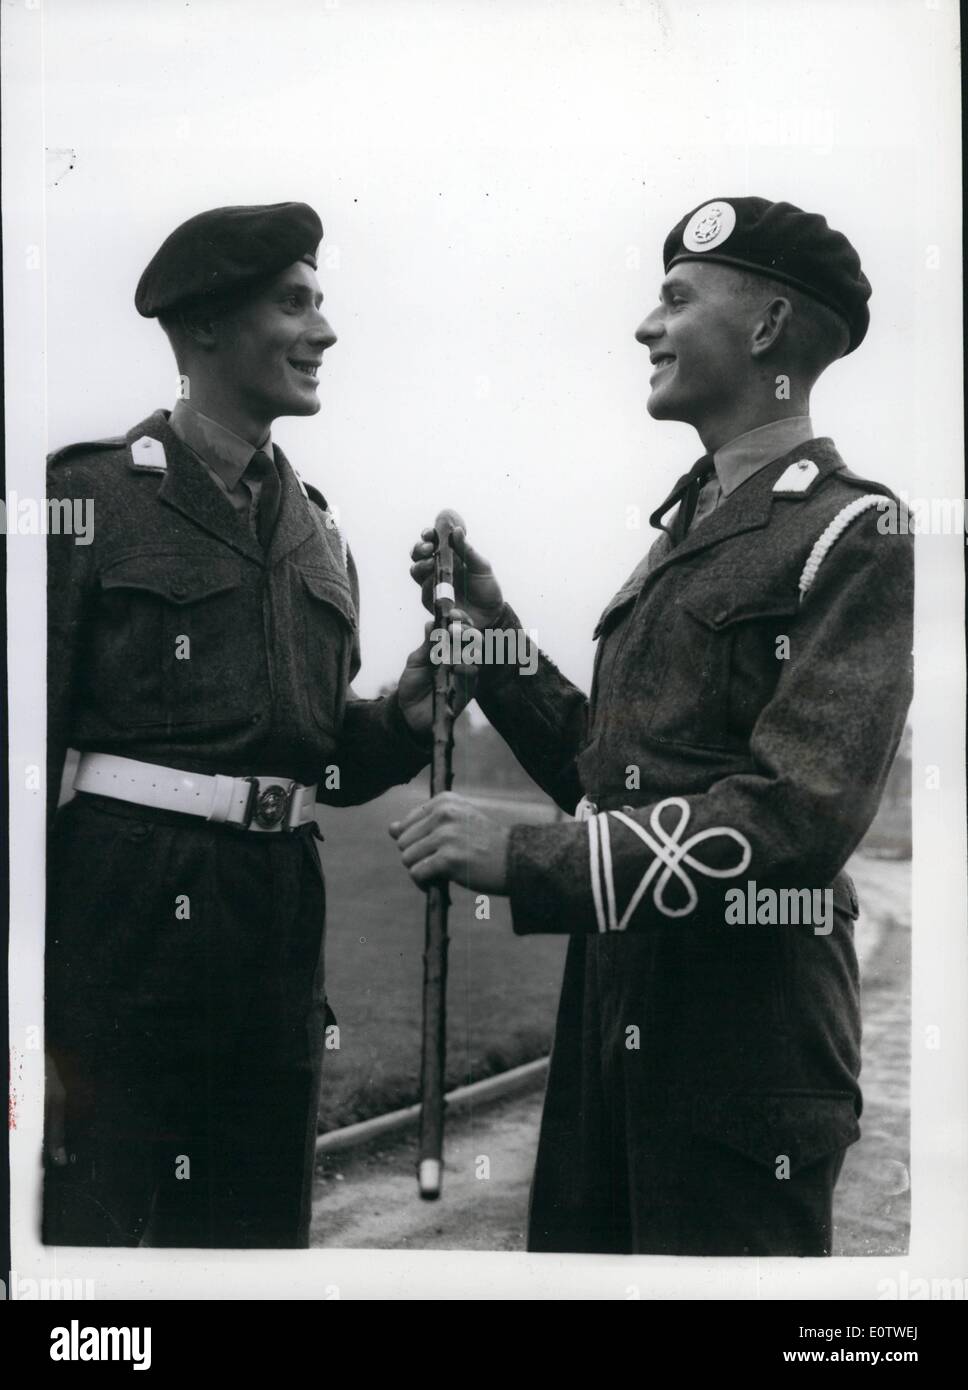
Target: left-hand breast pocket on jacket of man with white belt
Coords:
[[181, 643]]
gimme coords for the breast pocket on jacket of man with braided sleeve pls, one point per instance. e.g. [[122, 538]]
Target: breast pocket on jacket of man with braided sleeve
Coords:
[[723, 667]]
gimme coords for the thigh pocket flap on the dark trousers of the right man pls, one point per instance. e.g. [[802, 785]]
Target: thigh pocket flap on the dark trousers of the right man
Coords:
[[802, 1125]]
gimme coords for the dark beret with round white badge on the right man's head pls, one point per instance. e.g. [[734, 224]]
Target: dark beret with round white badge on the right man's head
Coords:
[[780, 241]]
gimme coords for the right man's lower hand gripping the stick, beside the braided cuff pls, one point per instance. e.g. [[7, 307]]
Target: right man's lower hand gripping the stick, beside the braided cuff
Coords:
[[449, 837]]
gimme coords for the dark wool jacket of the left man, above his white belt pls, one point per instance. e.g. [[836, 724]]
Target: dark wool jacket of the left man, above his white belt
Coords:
[[175, 639]]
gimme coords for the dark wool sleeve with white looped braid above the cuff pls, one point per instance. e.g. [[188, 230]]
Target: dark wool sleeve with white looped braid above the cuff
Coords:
[[821, 753]]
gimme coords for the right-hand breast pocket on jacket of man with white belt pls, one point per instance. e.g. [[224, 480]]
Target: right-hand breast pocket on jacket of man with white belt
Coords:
[[330, 636]]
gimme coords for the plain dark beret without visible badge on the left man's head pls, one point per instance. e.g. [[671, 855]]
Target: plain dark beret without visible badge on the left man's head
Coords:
[[225, 250]]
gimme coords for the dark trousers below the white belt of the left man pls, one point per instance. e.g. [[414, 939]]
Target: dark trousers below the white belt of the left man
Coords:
[[186, 1017]]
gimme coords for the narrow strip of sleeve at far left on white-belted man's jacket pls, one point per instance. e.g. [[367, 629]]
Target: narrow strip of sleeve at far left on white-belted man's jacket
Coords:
[[70, 579]]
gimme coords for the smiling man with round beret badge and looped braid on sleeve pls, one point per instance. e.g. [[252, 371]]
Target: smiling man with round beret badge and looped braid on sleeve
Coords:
[[750, 689]]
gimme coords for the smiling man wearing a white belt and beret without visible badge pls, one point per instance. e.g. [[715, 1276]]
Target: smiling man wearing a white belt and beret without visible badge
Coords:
[[201, 653]]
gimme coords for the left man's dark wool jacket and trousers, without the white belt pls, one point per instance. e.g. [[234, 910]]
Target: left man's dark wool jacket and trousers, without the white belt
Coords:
[[186, 960]]
